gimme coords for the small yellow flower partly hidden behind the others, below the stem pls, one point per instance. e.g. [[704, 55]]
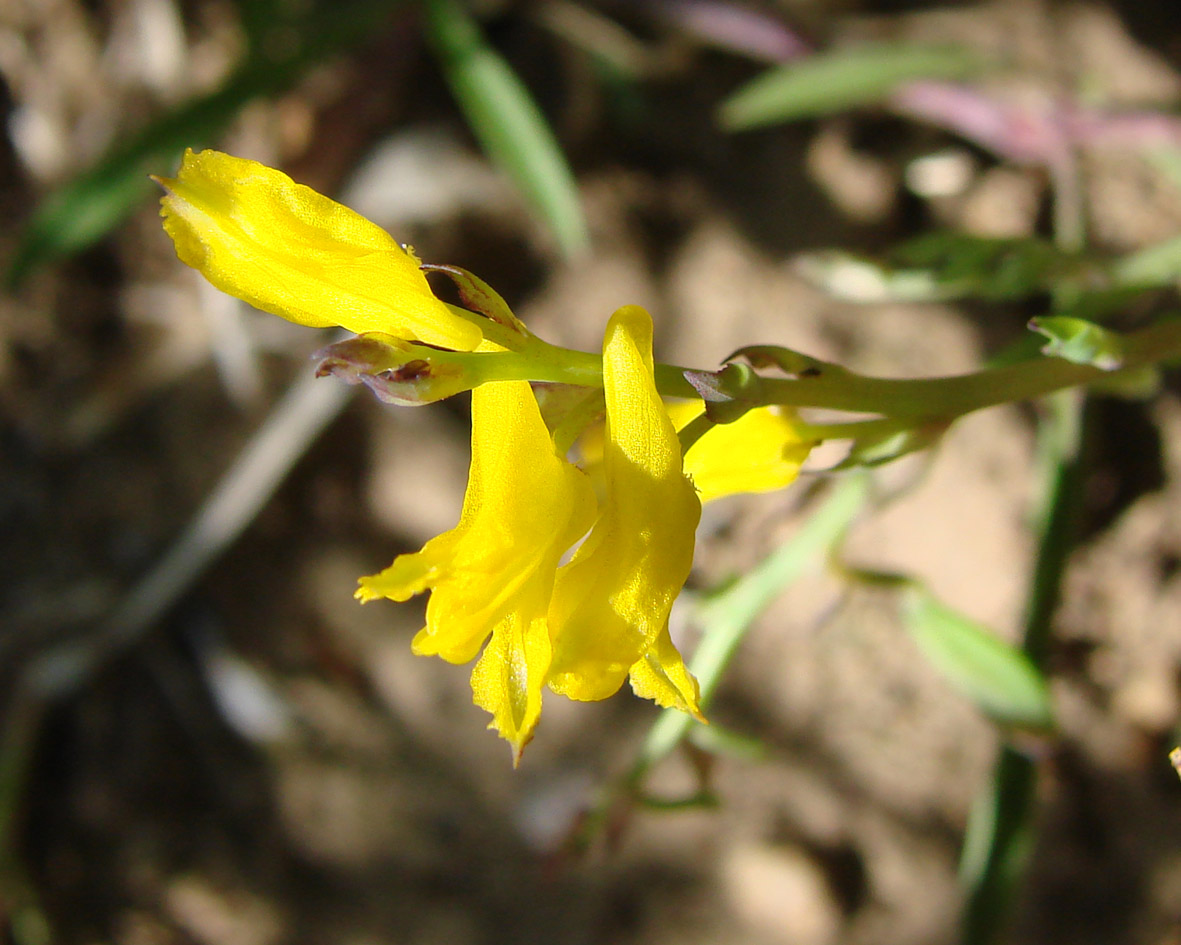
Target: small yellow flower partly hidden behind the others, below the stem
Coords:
[[759, 453]]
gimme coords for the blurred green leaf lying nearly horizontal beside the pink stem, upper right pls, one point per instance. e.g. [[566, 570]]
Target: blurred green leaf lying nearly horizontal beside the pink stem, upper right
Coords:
[[833, 82]]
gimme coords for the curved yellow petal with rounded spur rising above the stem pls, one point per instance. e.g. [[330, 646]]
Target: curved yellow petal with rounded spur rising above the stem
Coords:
[[611, 603]]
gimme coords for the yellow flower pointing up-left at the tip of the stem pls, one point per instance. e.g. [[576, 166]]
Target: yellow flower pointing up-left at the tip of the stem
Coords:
[[284, 249]]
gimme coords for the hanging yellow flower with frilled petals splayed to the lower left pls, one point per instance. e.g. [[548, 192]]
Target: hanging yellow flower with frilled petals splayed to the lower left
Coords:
[[494, 572]]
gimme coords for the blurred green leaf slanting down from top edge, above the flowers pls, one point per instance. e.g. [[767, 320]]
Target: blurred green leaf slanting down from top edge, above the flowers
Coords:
[[507, 122]]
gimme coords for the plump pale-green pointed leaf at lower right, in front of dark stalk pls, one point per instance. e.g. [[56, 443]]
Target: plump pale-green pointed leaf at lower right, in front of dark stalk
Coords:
[[999, 679]]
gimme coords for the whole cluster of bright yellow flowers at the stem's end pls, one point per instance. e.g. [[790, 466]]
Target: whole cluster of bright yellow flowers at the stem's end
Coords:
[[498, 583]]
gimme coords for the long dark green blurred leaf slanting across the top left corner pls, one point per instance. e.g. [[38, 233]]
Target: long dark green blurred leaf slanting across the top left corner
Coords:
[[94, 204]]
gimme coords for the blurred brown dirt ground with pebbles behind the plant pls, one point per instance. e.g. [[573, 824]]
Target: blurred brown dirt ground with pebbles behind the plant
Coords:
[[271, 765]]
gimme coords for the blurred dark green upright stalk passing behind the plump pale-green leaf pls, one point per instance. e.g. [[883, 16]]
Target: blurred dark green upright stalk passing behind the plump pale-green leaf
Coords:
[[1000, 833]]
